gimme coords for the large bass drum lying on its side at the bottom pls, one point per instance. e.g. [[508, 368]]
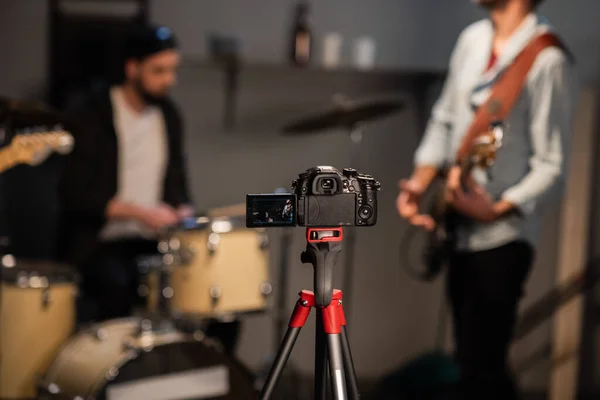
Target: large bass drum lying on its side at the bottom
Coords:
[[113, 361]]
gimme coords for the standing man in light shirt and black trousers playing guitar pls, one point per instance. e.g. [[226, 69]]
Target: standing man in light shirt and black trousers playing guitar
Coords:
[[501, 212]]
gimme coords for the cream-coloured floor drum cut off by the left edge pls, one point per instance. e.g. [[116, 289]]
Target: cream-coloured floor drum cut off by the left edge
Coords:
[[37, 315]]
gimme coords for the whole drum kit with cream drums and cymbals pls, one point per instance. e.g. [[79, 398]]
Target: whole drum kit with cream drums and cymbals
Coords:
[[208, 268]]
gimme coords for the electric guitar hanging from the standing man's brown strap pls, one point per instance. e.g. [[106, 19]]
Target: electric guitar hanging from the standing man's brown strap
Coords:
[[440, 243]]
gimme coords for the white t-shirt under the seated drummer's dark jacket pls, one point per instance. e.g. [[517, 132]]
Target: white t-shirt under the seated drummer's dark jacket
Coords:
[[142, 149]]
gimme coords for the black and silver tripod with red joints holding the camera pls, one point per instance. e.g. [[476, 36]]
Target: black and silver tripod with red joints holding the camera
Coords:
[[331, 344]]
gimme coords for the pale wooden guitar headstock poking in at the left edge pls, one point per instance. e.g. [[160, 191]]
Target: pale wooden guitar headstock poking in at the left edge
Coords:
[[34, 148]]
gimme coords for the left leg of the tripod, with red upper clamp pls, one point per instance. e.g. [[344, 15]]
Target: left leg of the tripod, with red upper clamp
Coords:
[[297, 321]]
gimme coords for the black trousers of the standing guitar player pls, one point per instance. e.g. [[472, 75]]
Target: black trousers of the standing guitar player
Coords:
[[484, 289]]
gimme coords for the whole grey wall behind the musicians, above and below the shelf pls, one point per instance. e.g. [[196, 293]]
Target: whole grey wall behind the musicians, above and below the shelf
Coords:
[[394, 317]]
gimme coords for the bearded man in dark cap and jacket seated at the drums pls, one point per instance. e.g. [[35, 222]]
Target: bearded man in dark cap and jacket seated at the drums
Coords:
[[126, 178]]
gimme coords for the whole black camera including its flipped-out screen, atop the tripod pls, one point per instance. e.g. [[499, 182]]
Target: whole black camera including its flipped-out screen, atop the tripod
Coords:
[[321, 197]]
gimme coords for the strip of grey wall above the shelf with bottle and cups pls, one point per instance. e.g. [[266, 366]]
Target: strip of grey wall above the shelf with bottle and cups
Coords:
[[409, 33]]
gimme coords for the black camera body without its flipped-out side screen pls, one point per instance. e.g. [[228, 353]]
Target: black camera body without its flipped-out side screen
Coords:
[[328, 198]]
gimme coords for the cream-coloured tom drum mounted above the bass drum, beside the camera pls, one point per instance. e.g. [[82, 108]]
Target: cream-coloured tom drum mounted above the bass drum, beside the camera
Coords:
[[221, 268]]
